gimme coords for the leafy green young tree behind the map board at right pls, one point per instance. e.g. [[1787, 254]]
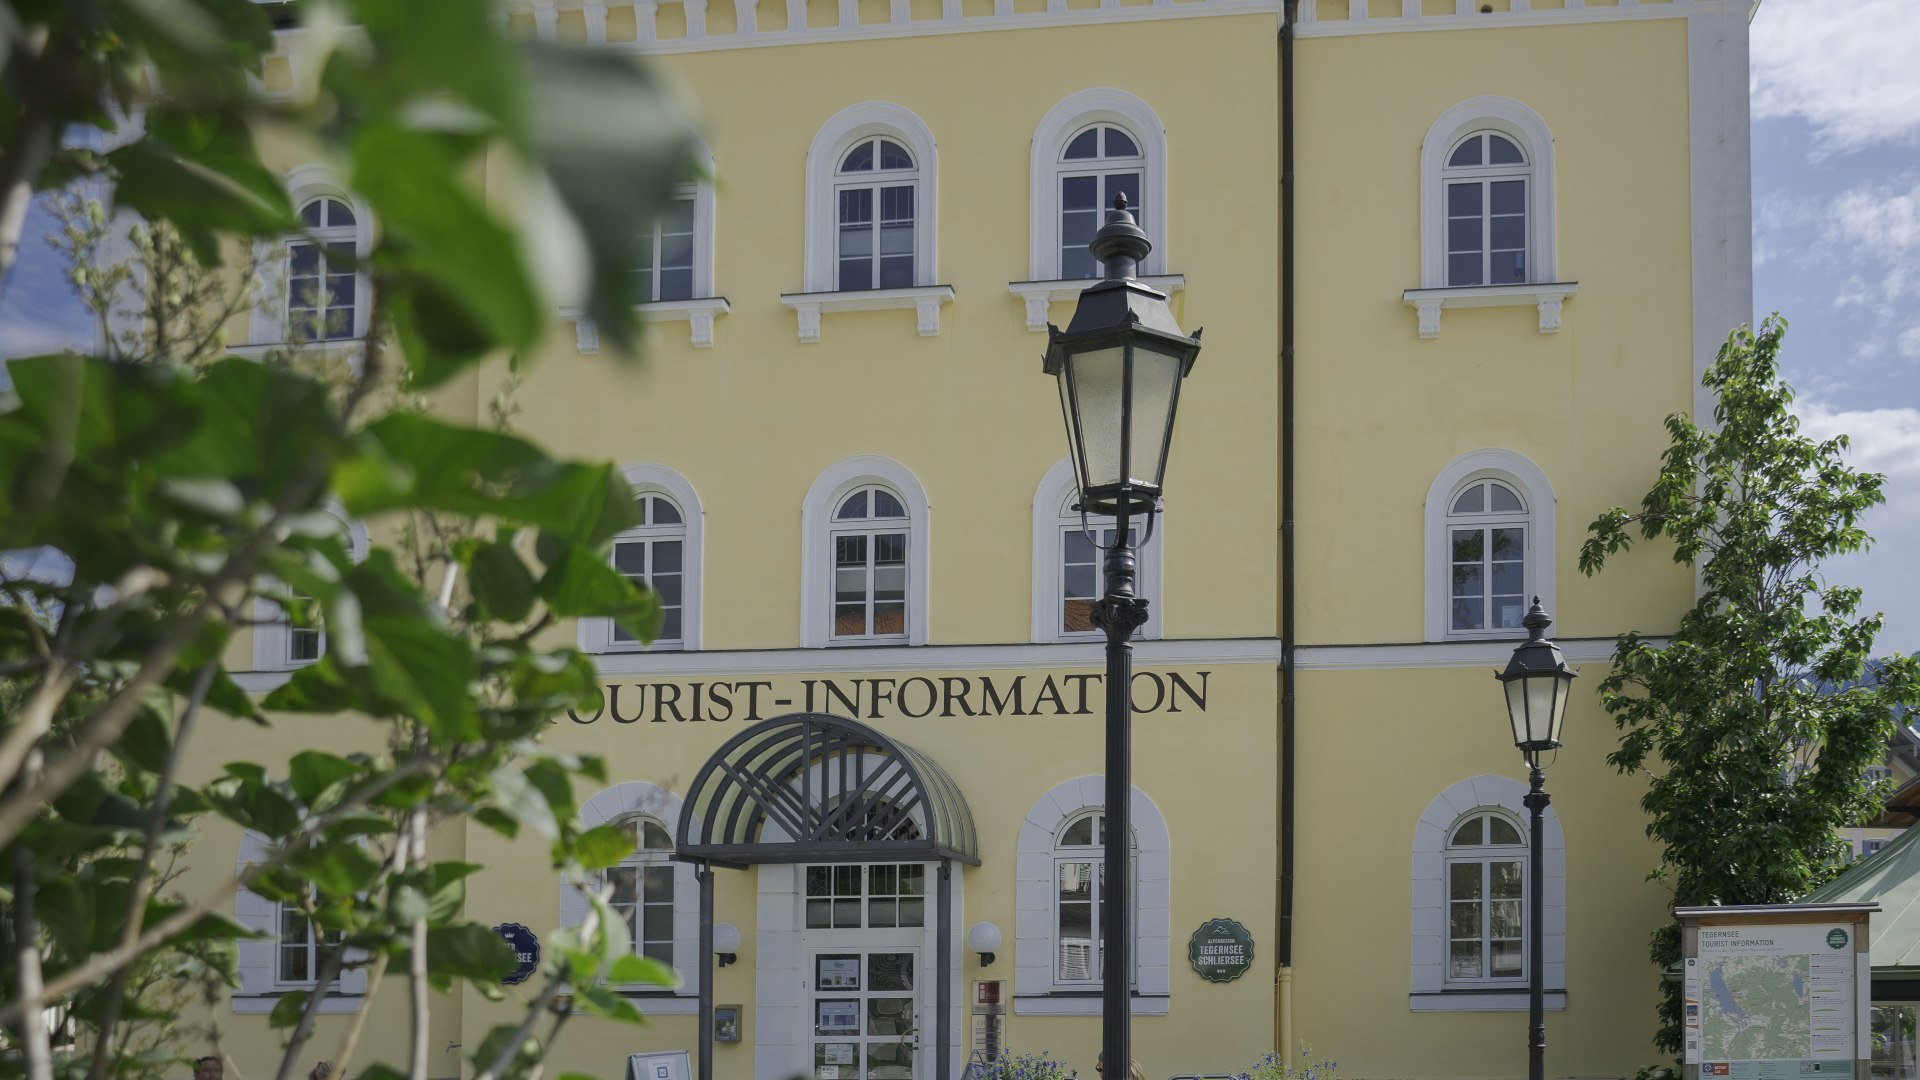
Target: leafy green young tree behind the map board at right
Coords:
[[1754, 760]]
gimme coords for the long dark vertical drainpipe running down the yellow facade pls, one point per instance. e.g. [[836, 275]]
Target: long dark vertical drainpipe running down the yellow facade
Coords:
[[1285, 931]]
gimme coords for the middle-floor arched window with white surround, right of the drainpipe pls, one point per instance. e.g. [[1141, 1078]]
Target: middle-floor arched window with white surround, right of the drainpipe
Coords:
[[1489, 547]]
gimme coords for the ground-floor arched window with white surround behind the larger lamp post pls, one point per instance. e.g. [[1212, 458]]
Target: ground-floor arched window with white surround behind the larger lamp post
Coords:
[[1063, 873]]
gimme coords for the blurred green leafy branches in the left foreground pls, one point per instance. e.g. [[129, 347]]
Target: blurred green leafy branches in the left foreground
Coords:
[[166, 491]]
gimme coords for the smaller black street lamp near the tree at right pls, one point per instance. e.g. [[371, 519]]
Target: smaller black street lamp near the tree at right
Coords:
[[1537, 683]]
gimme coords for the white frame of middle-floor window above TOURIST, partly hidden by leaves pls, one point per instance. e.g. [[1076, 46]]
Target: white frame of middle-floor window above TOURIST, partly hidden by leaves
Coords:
[[638, 551]]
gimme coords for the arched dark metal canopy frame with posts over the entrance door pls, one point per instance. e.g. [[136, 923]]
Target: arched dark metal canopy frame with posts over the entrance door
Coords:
[[840, 793]]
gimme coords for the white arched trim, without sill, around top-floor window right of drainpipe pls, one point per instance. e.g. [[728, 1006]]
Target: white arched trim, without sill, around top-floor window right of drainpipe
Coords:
[[1537, 143]]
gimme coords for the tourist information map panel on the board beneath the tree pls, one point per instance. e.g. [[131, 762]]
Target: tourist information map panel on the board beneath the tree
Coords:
[[1771, 1002]]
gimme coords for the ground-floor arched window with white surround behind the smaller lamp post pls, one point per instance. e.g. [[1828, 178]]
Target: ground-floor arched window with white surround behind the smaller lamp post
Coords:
[[1472, 906]]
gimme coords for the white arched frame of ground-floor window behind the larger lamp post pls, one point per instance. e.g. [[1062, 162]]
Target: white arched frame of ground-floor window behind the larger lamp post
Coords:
[[1038, 985]]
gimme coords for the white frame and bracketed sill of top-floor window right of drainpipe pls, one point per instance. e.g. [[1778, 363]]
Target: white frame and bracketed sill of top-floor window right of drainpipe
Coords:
[[1535, 143]]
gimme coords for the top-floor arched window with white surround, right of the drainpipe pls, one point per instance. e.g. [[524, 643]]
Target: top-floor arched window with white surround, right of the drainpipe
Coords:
[[1487, 197]]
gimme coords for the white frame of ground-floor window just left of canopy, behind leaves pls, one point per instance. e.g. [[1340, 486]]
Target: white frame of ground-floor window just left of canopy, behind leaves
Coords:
[[642, 802]]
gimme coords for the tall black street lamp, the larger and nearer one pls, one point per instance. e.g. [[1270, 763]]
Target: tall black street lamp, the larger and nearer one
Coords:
[[1120, 366]]
